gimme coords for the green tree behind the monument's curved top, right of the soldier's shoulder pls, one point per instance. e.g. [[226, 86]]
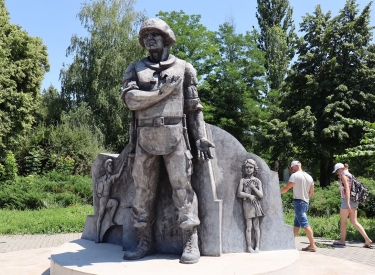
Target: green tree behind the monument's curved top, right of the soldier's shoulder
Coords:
[[232, 91]]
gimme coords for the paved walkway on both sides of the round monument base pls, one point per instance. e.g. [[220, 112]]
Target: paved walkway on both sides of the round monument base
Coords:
[[30, 254]]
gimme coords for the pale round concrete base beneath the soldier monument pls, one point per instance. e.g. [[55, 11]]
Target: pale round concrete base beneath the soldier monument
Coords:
[[86, 257]]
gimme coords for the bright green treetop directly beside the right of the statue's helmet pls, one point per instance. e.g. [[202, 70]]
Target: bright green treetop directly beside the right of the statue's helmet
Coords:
[[195, 44]]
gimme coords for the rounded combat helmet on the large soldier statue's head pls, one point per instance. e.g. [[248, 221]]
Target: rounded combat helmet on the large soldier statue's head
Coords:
[[159, 25]]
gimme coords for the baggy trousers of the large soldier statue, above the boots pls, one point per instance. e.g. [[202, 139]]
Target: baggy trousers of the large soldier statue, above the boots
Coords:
[[146, 171]]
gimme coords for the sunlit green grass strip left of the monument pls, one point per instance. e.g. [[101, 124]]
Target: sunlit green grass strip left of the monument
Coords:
[[44, 221]]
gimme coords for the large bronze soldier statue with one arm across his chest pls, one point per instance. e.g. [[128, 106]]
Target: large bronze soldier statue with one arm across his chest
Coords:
[[161, 92]]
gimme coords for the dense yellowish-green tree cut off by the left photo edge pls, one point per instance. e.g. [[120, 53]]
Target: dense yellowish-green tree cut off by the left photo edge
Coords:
[[23, 63]]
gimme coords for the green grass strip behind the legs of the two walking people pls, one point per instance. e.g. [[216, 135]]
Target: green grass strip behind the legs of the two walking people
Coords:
[[329, 227]]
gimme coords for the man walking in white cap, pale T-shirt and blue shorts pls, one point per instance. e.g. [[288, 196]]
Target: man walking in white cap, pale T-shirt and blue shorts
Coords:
[[303, 189]]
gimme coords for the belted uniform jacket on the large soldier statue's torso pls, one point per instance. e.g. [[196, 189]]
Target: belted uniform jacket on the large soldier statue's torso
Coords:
[[159, 126]]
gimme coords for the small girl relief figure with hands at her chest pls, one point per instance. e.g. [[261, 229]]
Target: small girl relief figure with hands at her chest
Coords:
[[251, 191]]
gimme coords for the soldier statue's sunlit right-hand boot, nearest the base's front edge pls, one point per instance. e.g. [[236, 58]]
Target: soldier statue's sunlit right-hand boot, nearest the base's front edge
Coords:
[[191, 252]]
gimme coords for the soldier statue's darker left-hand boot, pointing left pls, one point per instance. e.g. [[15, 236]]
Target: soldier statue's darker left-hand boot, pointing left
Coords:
[[145, 244]]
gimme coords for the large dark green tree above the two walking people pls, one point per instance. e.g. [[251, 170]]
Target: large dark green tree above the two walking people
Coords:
[[331, 80]]
